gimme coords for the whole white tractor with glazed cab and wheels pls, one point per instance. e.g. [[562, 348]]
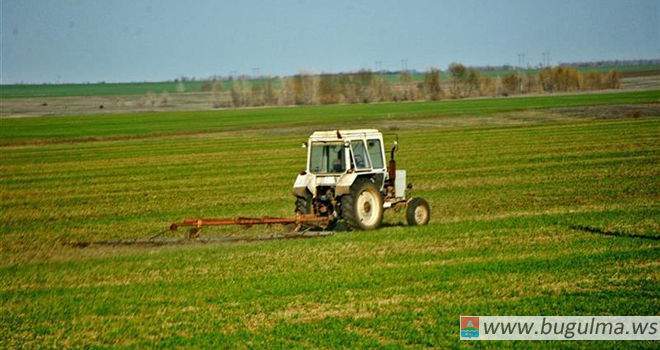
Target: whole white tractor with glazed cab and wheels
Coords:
[[347, 179]]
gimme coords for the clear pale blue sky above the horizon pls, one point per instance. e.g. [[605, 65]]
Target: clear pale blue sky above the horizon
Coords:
[[73, 41]]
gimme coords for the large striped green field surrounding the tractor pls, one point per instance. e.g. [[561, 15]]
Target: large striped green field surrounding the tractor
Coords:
[[518, 193]]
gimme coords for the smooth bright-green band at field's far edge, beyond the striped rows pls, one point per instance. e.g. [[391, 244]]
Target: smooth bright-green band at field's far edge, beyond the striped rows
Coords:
[[21, 130]]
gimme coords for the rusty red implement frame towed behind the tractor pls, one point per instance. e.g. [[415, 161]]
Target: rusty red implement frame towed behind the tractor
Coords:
[[300, 219]]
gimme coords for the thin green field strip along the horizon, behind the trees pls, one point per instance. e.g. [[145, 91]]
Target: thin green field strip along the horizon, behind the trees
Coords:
[[111, 89]]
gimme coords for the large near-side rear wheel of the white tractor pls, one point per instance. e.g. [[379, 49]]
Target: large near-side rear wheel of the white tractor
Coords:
[[362, 219]]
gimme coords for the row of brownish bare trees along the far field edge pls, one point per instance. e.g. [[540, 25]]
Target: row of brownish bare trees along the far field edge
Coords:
[[366, 86]]
